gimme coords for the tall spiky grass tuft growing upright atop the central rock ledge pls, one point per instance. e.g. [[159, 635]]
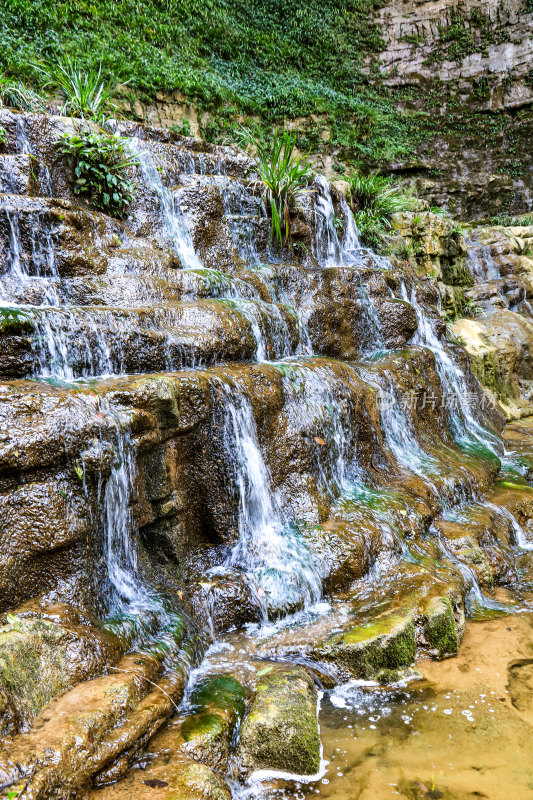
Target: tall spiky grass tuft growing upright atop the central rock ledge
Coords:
[[284, 176]]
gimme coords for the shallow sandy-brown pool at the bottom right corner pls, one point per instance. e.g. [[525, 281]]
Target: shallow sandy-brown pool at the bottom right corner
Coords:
[[465, 730]]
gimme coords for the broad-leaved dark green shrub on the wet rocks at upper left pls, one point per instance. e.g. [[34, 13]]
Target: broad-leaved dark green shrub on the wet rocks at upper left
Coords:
[[101, 164]]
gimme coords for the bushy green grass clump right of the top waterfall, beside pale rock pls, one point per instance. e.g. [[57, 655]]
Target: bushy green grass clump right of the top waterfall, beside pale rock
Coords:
[[376, 199]]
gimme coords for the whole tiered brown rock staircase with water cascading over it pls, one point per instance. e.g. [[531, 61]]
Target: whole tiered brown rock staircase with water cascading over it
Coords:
[[230, 477]]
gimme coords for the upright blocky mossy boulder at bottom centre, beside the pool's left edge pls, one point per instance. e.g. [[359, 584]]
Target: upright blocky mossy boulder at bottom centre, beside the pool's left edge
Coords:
[[280, 731]]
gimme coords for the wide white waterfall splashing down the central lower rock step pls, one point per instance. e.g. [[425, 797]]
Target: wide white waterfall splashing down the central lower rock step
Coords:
[[270, 549]]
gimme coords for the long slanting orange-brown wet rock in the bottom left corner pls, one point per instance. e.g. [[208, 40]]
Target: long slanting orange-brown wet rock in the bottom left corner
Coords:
[[79, 734]]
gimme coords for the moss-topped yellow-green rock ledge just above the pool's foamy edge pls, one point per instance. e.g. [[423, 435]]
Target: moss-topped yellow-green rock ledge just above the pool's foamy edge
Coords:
[[375, 649]]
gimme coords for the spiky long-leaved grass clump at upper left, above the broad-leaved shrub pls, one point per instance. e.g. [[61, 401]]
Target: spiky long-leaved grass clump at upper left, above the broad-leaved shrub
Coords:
[[86, 94]]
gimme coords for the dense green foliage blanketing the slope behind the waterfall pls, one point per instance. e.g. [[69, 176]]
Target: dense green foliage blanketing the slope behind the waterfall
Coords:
[[266, 59]]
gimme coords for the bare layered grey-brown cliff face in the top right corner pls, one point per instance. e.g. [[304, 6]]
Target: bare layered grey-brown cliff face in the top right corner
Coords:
[[465, 58]]
